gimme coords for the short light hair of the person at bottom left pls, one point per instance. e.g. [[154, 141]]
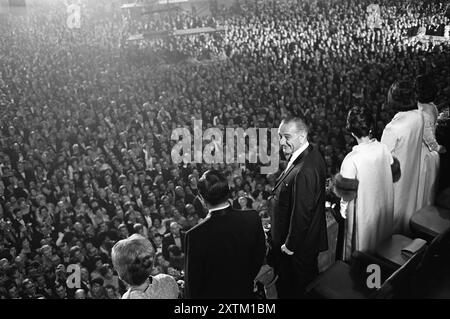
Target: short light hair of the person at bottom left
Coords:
[[125, 253]]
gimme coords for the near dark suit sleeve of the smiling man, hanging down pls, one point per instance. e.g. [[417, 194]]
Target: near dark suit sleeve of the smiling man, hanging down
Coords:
[[303, 209]]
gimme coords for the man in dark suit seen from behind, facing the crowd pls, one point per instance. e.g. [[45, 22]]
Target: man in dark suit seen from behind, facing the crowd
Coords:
[[225, 252]]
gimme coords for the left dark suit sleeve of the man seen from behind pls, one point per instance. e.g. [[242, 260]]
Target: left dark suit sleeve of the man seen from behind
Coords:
[[194, 269]]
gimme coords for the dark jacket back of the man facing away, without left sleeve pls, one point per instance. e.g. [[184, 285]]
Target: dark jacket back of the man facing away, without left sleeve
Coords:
[[230, 241]]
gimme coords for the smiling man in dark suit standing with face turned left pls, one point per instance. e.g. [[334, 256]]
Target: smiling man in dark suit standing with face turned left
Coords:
[[299, 230]]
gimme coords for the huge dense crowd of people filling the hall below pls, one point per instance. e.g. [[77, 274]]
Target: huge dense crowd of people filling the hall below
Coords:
[[85, 122]]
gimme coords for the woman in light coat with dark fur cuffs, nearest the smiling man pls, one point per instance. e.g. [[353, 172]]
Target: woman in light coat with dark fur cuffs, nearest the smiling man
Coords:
[[365, 186]]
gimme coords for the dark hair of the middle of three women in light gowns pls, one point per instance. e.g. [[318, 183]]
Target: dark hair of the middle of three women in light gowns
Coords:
[[401, 96]]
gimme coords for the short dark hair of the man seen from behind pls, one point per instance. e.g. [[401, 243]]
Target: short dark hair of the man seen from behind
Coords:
[[213, 187]]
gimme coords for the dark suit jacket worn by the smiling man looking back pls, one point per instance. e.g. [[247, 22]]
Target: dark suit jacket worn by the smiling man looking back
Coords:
[[298, 210]]
